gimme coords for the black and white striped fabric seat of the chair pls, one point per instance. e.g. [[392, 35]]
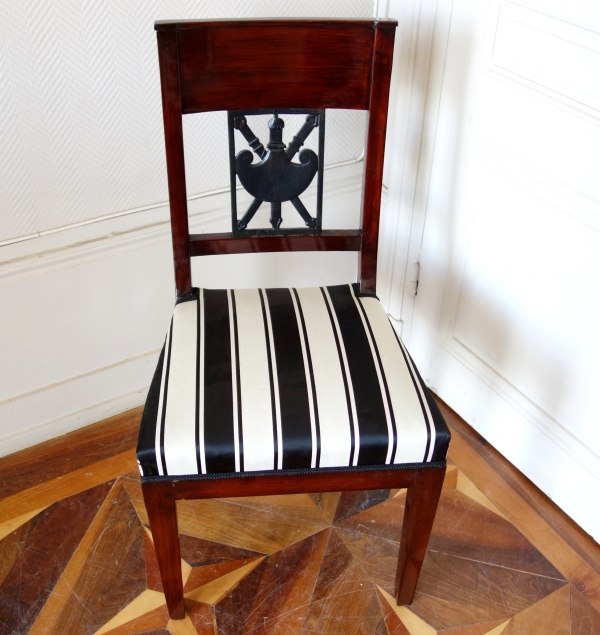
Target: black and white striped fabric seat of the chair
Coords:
[[276, 379]]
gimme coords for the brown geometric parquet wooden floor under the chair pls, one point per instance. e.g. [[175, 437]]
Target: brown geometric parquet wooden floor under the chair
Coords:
[[76, 554]]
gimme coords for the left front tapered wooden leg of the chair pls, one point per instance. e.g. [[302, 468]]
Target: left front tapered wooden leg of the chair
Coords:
[[162, 513]]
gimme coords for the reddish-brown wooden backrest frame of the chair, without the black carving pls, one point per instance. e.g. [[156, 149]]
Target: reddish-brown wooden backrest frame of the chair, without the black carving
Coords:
[[275, 64]]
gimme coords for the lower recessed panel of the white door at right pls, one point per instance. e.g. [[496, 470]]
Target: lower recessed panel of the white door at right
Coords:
[[531, 290]]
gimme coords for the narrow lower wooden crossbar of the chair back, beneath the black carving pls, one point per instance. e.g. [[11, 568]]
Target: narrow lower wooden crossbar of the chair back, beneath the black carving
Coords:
[[328, 240]]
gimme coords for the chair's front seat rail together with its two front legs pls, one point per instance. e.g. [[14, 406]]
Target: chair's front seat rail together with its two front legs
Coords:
[[424, 488]]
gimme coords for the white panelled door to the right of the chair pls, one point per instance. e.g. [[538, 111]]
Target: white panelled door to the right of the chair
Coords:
[[506, 320]]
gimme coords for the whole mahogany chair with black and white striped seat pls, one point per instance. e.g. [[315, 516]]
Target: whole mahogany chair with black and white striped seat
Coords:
[[281, 391]]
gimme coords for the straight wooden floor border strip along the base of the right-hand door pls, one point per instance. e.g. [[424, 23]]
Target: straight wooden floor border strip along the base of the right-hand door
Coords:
[[555, 517]]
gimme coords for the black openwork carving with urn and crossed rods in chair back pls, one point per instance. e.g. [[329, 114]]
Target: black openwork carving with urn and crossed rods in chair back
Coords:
[[276, 178]]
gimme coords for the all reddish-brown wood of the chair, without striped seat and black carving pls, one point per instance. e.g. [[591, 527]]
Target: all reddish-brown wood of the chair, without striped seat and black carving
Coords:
[[245, 64]]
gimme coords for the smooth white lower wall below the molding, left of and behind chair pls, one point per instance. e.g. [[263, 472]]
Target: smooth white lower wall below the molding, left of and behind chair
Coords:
[[84, 311]]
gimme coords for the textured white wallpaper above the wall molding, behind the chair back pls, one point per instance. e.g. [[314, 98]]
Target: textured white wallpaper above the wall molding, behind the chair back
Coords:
[[80, 116]]
